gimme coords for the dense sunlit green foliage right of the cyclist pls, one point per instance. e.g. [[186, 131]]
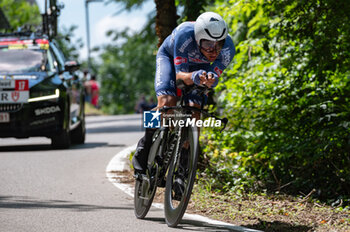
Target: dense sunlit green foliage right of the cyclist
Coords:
[[286, 96]]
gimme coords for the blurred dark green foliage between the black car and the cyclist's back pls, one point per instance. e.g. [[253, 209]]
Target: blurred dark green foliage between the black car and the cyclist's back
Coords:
[[128, 69]]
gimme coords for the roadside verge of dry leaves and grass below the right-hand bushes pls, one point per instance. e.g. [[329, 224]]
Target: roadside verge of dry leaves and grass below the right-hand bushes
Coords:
[[267, 212]]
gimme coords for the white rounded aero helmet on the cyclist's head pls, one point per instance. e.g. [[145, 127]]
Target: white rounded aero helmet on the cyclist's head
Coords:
[[210, 26]]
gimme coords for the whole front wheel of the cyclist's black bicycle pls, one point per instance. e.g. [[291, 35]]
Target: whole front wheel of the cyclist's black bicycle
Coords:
[[175, 205]]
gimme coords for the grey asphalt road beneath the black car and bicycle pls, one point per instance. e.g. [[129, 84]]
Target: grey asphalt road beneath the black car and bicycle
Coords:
[[67, 190]]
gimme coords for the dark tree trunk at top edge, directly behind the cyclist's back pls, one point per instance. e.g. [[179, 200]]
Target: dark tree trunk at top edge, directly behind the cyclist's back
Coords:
[[165, 19]]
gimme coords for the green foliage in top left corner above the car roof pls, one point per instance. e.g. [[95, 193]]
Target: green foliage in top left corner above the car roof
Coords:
[[20, 13]]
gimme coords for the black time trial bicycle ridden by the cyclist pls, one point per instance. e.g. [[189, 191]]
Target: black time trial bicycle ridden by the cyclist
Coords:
[[173, 156]]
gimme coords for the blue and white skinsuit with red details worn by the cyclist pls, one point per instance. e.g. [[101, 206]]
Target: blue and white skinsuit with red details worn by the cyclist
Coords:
[[180, 53]]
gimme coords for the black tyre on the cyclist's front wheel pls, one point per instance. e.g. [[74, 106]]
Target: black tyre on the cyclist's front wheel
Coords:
[[174, 214]]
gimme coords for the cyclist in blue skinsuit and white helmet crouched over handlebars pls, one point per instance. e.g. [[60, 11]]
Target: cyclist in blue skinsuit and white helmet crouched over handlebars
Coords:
[[197, 53]]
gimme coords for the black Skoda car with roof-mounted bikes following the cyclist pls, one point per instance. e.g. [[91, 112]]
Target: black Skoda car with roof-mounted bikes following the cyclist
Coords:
[[40, 92]]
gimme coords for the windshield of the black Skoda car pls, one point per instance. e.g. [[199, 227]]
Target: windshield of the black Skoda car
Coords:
[[22, 60]]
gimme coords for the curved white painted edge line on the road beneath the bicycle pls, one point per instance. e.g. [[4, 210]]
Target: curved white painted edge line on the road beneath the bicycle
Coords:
[[118, 164]]
